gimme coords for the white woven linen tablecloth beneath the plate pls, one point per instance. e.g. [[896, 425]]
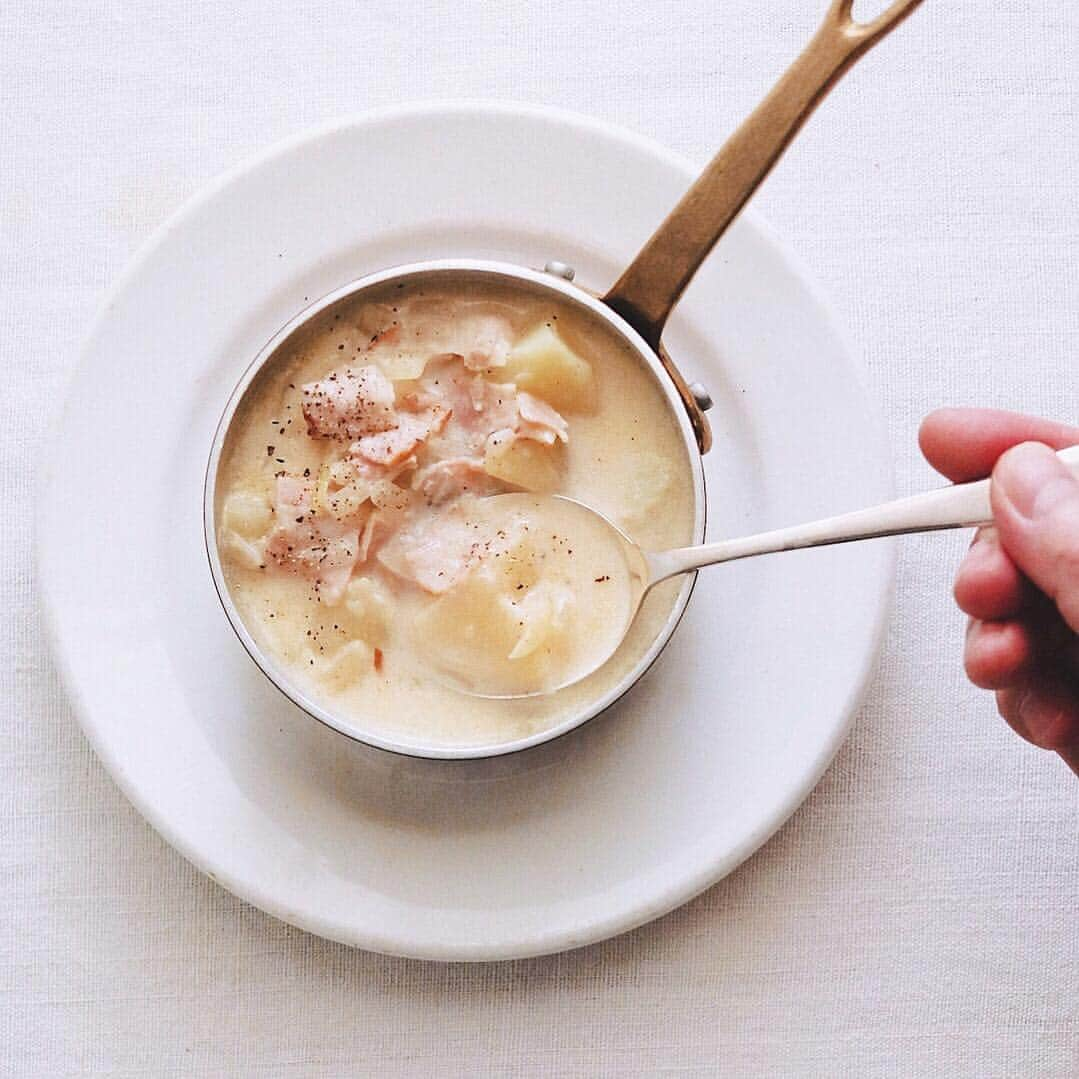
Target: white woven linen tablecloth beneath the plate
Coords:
[[920, 916]]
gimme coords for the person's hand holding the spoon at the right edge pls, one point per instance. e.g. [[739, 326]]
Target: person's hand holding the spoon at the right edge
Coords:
[[1020, 580]]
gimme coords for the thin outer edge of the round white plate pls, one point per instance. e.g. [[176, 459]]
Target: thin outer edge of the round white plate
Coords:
[[527, 945]]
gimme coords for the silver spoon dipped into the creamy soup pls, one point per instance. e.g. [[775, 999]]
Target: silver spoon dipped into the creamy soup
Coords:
[[962, 506]]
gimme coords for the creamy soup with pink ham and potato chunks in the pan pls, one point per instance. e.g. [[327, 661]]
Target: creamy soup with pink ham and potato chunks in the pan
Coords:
[[359, 456]]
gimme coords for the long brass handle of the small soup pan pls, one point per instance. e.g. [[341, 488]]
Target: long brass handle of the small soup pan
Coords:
[[654, 282]]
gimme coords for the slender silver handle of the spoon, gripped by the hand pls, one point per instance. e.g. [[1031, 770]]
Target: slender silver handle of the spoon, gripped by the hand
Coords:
[[963, 506]]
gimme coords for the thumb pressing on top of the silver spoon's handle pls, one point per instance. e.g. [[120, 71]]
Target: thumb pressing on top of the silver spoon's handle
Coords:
[[1036, 510]]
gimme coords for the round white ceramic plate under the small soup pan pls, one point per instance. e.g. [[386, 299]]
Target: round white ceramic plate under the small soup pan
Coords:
[[579, 840]]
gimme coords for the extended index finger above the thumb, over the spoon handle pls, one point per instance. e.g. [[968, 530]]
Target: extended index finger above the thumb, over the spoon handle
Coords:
[[964, 444]]
